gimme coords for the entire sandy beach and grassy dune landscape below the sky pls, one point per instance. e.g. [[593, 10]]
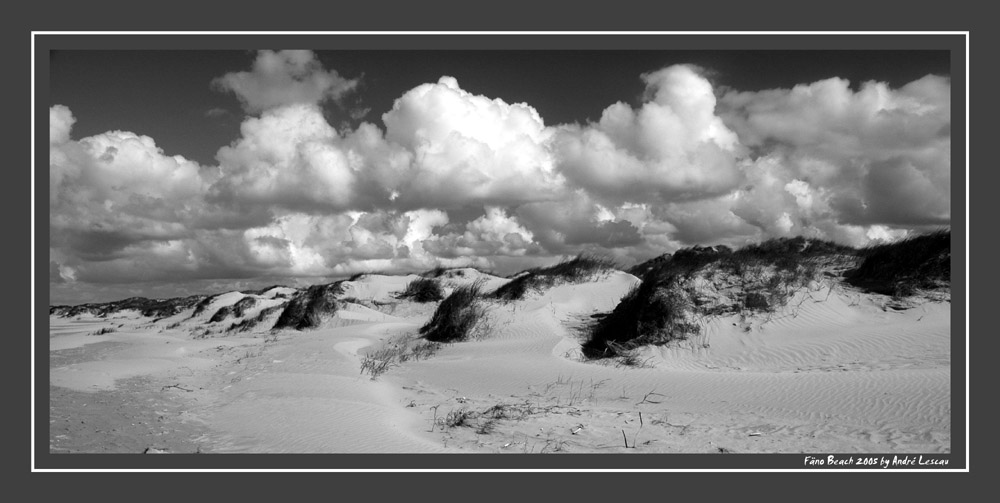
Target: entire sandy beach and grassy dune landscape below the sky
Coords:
[[790, 345]]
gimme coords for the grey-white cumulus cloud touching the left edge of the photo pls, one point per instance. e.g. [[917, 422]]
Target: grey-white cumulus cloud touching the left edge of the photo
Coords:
[[120, 206]]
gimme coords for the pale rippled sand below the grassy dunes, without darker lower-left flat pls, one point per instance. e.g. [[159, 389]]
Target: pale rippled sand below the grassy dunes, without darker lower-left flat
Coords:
[[833, 372]]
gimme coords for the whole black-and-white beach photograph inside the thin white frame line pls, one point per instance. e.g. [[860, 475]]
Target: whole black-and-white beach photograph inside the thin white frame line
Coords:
[[522, 253]]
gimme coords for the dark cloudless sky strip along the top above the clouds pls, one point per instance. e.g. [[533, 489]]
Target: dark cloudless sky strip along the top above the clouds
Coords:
[[166, 94]]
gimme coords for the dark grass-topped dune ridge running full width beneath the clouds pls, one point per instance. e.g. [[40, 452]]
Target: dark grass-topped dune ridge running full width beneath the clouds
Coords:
[[674, 290]]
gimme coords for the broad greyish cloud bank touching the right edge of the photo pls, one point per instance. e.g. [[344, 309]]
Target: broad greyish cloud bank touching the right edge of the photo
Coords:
[[882, 154]]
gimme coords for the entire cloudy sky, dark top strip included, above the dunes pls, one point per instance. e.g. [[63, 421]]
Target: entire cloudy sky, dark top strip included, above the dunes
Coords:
[[181, 172]]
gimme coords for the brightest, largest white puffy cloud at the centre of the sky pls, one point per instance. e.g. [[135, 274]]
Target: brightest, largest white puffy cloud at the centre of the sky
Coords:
[[470, 149]]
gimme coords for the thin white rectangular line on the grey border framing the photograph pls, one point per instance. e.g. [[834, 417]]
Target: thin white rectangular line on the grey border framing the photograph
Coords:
[[965, 33]]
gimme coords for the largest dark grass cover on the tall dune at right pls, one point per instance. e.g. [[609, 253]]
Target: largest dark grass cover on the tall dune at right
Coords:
[[761, 278]]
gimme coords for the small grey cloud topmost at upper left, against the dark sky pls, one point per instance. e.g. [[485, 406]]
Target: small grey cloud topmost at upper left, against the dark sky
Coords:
[[283, 78]]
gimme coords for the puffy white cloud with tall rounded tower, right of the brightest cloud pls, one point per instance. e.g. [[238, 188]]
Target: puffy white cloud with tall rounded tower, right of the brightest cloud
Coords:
[[672, 147]]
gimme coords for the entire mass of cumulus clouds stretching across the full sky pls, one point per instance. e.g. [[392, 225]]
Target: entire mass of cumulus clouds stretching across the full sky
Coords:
[[458, 179]]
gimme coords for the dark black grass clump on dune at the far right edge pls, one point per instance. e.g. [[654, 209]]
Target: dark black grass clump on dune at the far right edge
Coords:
[[901, 268]]
